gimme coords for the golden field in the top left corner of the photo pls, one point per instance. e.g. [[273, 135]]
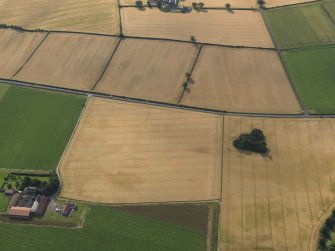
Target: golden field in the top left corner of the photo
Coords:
[[98, 16]]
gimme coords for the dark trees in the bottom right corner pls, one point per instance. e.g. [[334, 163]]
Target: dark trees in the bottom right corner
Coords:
[[326, 242]]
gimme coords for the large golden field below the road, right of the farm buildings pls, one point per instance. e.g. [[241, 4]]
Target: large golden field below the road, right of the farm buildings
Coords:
[[128, 153]]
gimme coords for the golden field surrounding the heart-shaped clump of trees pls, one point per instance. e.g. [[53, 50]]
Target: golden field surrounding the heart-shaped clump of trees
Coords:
[[275, 201]]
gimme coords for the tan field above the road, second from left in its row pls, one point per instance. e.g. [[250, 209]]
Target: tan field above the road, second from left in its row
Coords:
[[69, 60]]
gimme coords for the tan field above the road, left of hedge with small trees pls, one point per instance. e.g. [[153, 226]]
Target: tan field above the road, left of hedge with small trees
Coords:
[[152, 70]]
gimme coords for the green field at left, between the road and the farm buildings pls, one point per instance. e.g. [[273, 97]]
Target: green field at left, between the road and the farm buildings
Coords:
[[35, 127]]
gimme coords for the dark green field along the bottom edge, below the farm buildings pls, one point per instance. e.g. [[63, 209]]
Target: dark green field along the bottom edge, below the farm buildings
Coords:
[[104, 229]]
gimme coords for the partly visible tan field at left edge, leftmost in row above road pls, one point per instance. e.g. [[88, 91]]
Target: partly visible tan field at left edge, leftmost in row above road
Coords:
[[15, 49]]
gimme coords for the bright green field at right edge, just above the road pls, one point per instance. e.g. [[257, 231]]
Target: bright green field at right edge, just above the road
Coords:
[[313, 72]]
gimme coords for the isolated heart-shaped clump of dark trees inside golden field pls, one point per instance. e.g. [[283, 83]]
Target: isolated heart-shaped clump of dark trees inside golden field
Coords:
[[255, 141]]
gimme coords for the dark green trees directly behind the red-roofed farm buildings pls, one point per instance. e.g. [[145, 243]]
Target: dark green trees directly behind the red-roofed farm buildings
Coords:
[[47, 188]]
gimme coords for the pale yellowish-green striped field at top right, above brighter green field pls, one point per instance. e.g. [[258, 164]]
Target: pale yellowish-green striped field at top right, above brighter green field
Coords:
[[300, 26]]
